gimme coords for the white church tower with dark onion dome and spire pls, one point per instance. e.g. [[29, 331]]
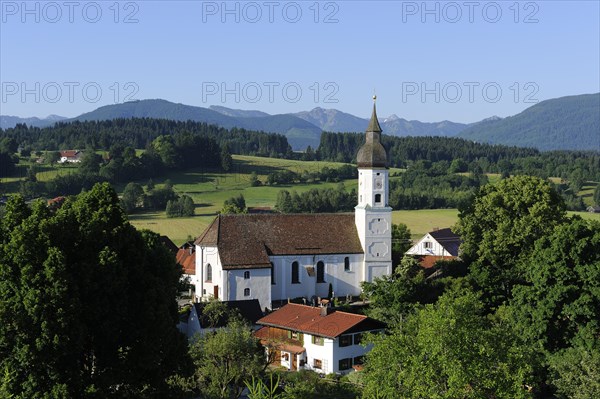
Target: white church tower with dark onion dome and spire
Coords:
[[373, 215]]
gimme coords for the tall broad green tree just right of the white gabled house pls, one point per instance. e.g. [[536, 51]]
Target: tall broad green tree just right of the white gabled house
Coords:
[[500, 226]]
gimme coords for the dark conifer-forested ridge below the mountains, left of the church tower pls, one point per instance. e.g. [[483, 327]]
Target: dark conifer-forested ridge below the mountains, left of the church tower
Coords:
[[139, 132]]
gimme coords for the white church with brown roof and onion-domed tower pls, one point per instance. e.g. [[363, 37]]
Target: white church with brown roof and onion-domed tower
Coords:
[[273, 257]]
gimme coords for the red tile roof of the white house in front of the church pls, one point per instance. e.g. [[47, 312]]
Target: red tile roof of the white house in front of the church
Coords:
[[308, 319]]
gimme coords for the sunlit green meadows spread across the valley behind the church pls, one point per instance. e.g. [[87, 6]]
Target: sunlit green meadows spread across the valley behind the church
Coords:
[[210, 188]]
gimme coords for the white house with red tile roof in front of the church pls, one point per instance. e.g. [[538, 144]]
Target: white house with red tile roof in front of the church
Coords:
[[316, 338]]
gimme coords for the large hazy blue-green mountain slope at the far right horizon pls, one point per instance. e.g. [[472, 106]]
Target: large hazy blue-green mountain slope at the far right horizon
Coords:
[[566, 123]]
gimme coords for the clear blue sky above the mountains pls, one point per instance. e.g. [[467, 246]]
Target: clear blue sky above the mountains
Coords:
[[461, 61]]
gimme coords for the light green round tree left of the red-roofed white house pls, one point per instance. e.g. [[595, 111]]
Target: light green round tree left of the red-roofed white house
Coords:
[[225, 359]]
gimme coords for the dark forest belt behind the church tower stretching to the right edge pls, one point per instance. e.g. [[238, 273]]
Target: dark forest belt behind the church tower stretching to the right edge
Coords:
[[461, 155]]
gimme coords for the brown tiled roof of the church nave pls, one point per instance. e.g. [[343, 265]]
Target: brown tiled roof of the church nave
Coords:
[[247, 241]]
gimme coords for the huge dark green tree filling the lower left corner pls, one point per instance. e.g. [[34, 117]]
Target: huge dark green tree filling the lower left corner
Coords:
[[87, 303]]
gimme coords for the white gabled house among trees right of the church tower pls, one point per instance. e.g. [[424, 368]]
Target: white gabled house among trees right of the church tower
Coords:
[[439, 244]]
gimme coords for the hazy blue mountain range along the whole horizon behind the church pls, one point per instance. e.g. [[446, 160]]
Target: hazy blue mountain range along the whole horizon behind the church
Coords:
[[566, 123]]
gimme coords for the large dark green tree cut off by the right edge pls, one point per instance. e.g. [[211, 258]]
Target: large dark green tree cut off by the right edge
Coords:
[[559, 306]]
